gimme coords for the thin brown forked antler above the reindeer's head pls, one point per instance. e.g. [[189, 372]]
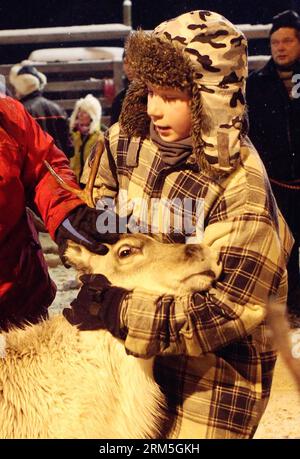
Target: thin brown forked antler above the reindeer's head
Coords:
[[86, 194]]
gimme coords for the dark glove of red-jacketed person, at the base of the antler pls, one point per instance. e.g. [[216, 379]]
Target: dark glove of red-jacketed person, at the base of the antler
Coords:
[[86, 226]]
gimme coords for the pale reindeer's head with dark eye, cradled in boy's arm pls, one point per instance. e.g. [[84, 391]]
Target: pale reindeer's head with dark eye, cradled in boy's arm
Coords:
[[138, 260]]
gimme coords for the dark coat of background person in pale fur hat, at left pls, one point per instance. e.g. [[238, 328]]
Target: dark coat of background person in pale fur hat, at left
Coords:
[[51, 117]]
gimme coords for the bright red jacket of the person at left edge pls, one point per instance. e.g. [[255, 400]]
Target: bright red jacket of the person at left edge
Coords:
[[26, 290]]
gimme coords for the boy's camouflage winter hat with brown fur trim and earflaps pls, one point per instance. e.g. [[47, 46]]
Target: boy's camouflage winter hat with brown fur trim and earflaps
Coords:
[[202, 52]]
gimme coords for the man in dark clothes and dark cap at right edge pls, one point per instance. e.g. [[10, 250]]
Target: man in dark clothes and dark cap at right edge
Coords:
[[274, 116]]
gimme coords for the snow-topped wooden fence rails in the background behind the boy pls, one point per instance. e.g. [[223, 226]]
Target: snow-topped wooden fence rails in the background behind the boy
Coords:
[[74, 72]]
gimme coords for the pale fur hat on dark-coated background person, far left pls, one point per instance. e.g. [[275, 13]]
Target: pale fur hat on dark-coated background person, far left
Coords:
[[25, 78]]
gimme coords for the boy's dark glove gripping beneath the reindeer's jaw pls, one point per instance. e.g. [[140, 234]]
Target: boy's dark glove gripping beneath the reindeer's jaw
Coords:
[[97, 305]]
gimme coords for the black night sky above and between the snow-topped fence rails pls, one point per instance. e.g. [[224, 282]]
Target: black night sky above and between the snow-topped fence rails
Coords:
[[16, 14]]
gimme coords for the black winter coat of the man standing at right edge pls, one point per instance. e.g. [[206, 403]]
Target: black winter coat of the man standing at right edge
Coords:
[[274, 123]]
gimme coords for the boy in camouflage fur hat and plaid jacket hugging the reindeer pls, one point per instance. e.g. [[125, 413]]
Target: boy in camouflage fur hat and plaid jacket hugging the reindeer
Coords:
[[181, 135]]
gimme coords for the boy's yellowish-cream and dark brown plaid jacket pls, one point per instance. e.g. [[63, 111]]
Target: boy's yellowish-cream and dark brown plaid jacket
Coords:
[[214, 358]]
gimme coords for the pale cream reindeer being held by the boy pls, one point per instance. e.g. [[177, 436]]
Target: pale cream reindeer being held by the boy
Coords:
[[59, 382]]
